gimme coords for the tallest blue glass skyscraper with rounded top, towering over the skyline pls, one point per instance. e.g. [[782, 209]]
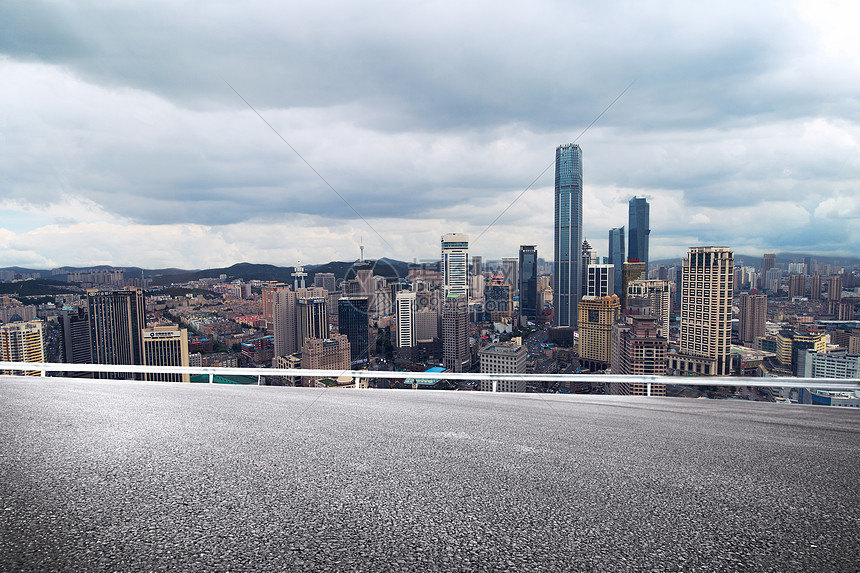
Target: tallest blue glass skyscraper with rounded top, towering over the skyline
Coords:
[[567, 276]]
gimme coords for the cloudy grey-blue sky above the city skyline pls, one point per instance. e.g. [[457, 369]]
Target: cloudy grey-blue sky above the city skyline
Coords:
[[126, 139]]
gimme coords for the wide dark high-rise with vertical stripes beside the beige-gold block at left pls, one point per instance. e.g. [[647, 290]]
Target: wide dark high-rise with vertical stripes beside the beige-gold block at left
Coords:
[[116, 320]]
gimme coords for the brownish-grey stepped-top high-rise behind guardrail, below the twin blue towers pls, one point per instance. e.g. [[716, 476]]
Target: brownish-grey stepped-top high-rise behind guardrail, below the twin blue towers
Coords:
[[638, 349]]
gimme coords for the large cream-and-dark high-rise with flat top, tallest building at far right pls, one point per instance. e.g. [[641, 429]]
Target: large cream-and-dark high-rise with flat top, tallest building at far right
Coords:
[[706, 313]]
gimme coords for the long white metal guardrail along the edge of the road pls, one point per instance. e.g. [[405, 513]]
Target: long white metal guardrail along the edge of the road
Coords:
[[836, 384]]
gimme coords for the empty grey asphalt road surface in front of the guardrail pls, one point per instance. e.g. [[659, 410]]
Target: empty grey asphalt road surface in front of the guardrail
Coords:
[[133, 476]]
